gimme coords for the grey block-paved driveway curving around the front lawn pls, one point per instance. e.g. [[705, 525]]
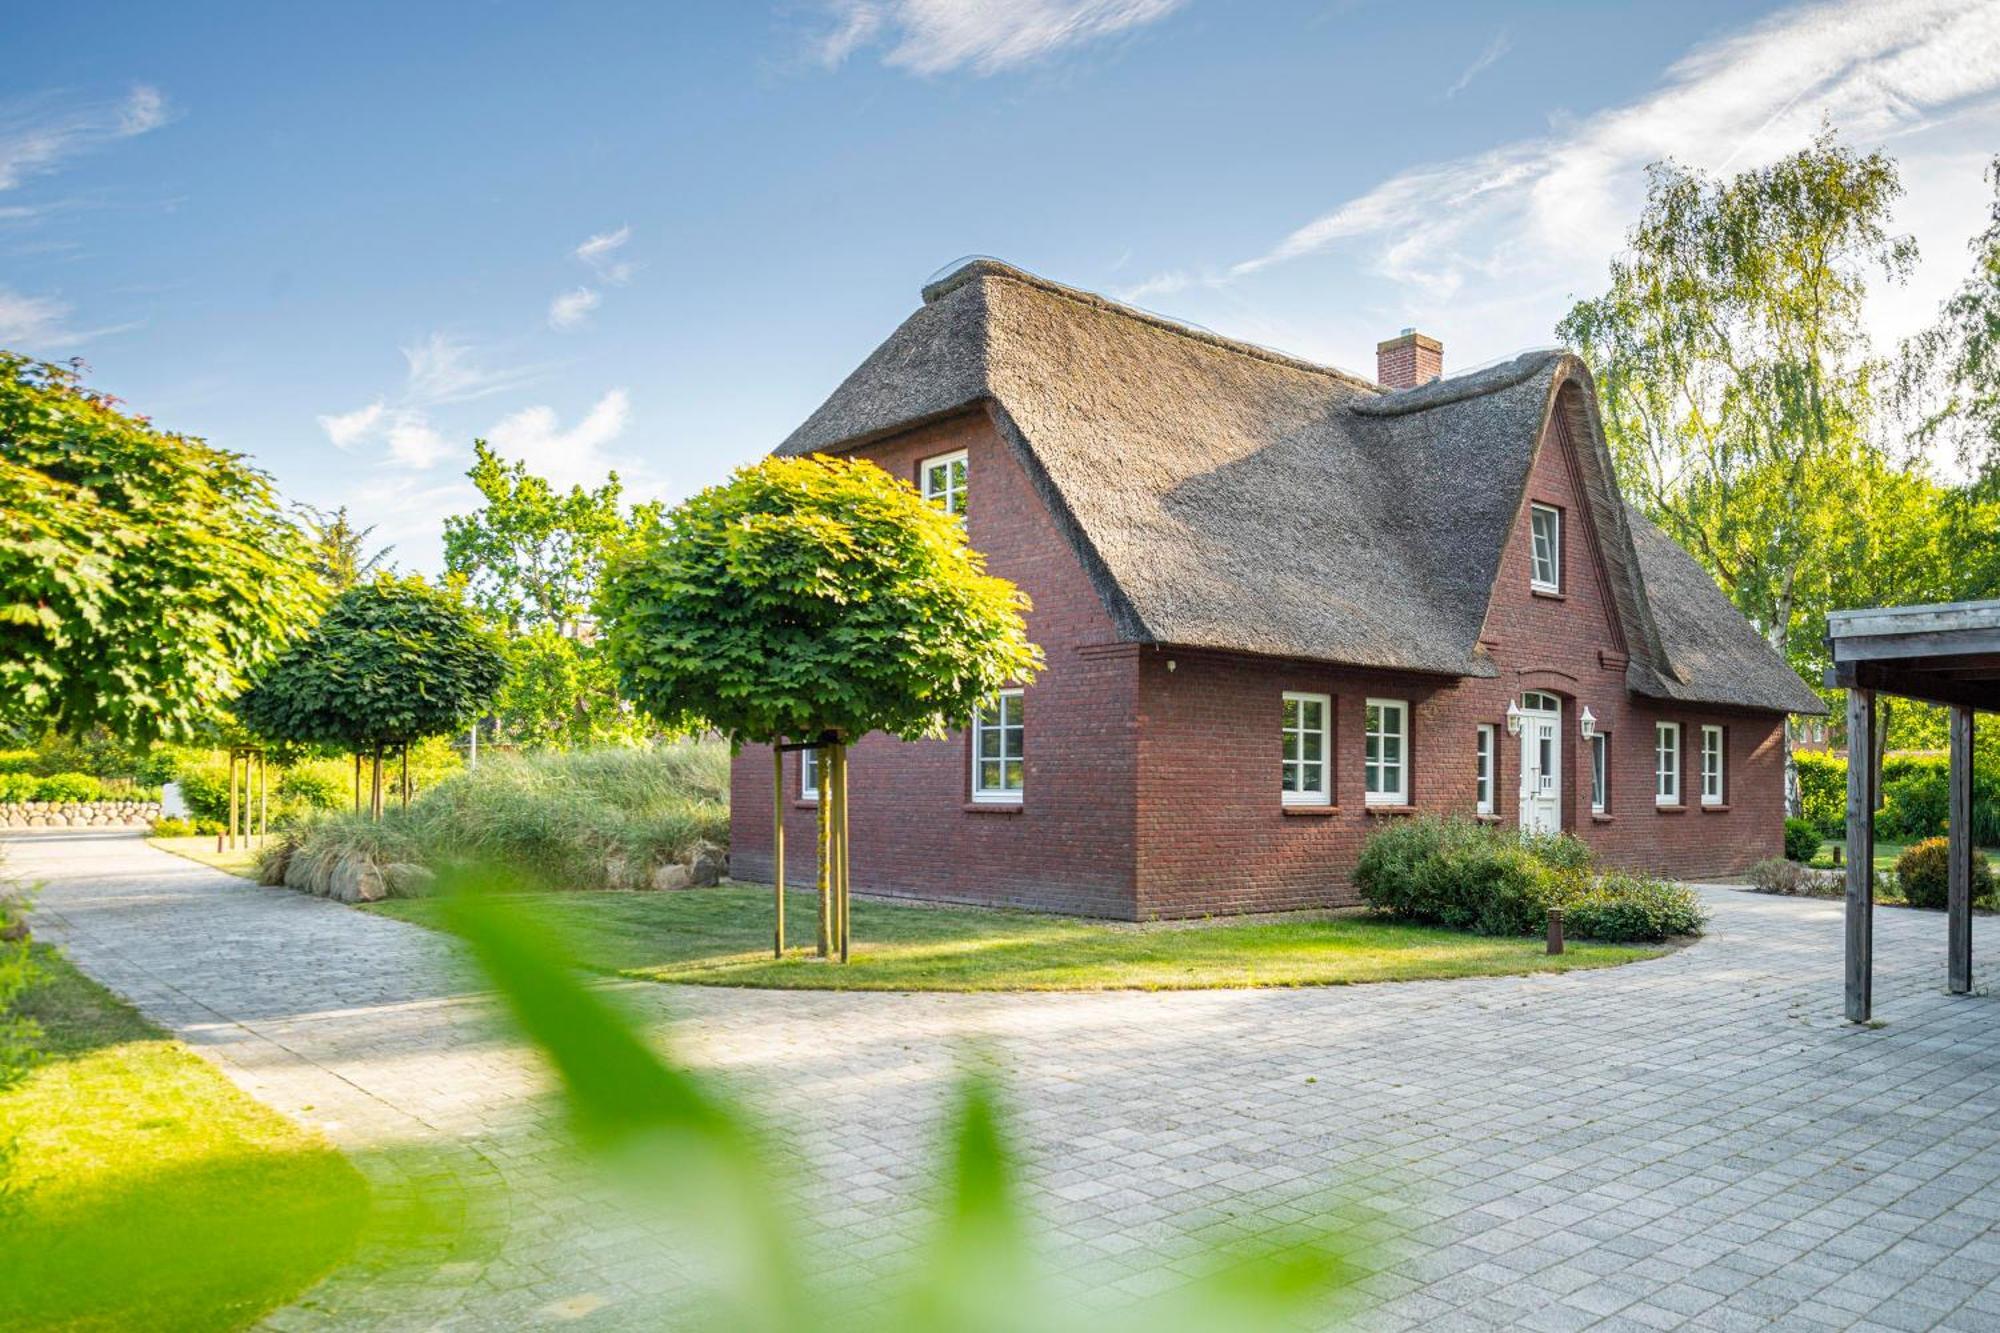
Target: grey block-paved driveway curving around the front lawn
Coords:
[[1697, 1142]]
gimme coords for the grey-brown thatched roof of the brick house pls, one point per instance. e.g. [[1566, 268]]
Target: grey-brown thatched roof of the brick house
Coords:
[[1231, 497]]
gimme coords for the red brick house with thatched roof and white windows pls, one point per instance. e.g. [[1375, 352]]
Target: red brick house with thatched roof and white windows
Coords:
[[1281, 605]]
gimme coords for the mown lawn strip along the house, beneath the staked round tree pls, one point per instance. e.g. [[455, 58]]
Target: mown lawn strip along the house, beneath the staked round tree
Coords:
[[723, 938]]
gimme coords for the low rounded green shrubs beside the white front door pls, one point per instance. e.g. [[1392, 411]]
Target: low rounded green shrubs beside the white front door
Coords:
[[1473, 878]]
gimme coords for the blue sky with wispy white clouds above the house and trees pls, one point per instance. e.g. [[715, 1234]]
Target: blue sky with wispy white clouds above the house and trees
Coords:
[[351, 239]]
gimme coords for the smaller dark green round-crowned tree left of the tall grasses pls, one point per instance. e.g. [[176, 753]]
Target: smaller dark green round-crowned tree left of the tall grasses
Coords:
[[391, 663]]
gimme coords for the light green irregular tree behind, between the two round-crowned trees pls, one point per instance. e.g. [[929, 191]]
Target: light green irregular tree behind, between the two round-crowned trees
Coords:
[[533, 555]]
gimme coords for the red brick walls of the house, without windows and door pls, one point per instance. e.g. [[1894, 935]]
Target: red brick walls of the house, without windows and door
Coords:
[[1153, 776]]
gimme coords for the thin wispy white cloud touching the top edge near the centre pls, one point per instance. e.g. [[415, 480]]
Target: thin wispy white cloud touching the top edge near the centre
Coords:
[[935, 37]]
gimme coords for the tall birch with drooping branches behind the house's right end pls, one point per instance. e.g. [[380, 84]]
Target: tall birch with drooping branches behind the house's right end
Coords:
[[1735, 373]]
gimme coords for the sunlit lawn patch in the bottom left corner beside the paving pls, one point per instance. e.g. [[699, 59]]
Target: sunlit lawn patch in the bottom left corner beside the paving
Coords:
[[151, 1192]]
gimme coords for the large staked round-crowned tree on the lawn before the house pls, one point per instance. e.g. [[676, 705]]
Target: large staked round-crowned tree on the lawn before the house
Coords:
[[813, 601]]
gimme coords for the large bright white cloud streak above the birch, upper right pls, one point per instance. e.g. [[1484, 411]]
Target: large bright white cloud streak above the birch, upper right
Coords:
[[1493, 247]]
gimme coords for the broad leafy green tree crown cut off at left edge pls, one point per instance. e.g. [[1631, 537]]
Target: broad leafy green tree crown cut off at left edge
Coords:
[[145, 575]]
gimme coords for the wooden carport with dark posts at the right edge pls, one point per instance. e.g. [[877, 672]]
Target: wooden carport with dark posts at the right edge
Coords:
[[1947, 655]]
